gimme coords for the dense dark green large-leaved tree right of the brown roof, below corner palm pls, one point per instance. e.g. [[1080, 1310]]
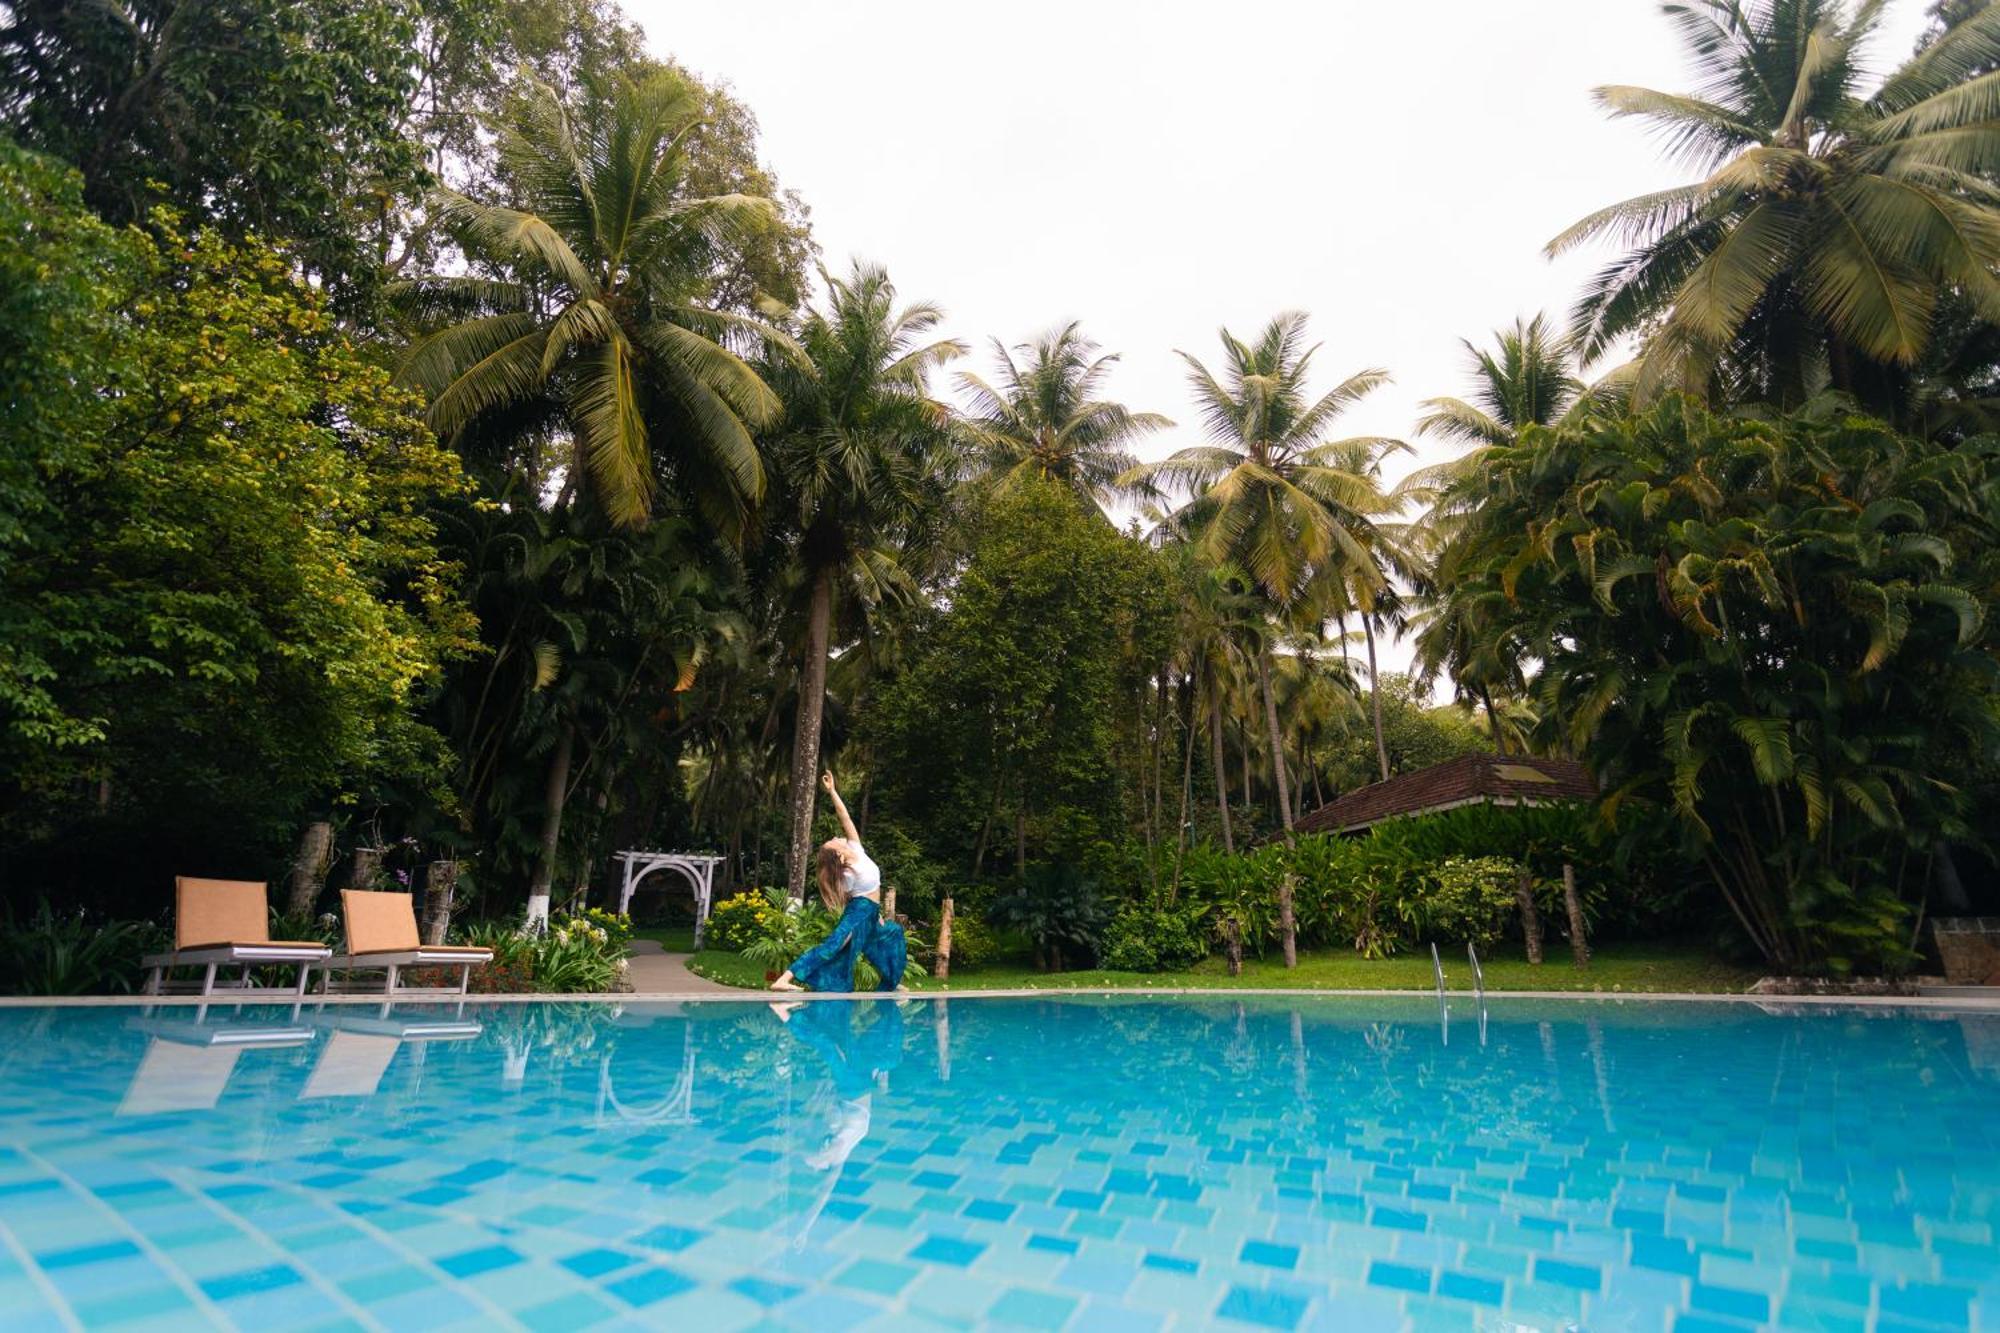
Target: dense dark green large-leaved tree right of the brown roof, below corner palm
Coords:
[[1771, 627]]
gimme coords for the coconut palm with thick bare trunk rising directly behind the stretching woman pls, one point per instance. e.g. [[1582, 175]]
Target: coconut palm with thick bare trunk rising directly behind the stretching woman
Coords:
[[865, 467]]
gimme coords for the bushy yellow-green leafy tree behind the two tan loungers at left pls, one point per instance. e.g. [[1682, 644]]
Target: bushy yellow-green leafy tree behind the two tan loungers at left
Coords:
[[221, 591]]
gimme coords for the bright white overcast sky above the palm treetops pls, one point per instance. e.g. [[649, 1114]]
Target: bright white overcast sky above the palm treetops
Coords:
[[1159, 171]]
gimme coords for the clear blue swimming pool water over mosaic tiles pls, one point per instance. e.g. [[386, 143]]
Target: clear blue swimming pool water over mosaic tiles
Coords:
[[1055, 1164]]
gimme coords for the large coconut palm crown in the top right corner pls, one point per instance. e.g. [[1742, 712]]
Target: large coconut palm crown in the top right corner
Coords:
[[1829, 221]]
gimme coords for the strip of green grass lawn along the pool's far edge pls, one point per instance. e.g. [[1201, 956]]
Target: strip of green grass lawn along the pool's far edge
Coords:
[[1617, 968]]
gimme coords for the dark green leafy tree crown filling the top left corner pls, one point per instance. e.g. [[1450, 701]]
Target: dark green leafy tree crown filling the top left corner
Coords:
[[275, 119]]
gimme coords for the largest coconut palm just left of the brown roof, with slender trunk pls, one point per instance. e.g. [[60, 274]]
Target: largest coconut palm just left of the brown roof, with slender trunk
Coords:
[[1271, 493]]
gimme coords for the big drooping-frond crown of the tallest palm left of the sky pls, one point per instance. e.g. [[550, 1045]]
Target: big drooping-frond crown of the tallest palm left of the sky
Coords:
[[597, 327]]
